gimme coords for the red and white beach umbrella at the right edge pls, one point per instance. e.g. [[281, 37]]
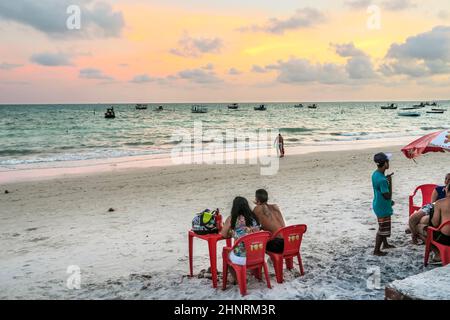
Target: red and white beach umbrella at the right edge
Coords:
[[433, 142]]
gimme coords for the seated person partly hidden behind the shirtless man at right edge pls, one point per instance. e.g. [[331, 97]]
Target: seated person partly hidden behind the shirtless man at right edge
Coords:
[[420, 219]]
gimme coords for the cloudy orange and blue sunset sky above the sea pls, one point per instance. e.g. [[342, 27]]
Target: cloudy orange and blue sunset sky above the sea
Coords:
[[132, 51]]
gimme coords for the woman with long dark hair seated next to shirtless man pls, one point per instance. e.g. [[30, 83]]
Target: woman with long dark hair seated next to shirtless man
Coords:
[[241, 222]]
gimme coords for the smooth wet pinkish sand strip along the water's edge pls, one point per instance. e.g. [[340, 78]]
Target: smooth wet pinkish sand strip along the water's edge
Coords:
[[52, 170]]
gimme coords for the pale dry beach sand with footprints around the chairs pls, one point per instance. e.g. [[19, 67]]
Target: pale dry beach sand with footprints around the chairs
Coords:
[[140, 251]]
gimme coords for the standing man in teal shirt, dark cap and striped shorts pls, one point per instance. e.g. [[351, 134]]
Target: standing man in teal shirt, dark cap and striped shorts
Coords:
[[382, 202]]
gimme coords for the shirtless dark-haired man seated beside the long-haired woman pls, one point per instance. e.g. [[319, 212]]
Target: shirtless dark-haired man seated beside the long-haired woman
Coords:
[[270, 218]]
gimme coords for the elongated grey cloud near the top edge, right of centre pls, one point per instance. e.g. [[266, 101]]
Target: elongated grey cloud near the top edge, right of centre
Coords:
[[302, 18]]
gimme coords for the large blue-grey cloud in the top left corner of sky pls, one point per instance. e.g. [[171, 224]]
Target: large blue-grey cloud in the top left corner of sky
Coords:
[[98, 19]]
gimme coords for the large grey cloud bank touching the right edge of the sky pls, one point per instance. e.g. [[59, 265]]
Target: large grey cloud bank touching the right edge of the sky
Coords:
[[425, 54]]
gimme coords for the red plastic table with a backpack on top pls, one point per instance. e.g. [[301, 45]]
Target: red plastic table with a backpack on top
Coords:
[[212, 246]]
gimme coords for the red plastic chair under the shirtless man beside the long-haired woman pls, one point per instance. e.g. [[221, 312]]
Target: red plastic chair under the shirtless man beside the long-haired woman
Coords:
[[292, 236]]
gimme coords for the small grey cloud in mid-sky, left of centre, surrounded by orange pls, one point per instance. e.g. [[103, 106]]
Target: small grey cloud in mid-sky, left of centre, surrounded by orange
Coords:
[[195, 47]]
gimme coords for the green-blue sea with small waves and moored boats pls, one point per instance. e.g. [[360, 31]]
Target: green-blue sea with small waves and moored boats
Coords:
[[31, 134]]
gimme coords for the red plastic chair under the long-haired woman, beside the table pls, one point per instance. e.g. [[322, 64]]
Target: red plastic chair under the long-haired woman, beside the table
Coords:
[[255, 248]]
